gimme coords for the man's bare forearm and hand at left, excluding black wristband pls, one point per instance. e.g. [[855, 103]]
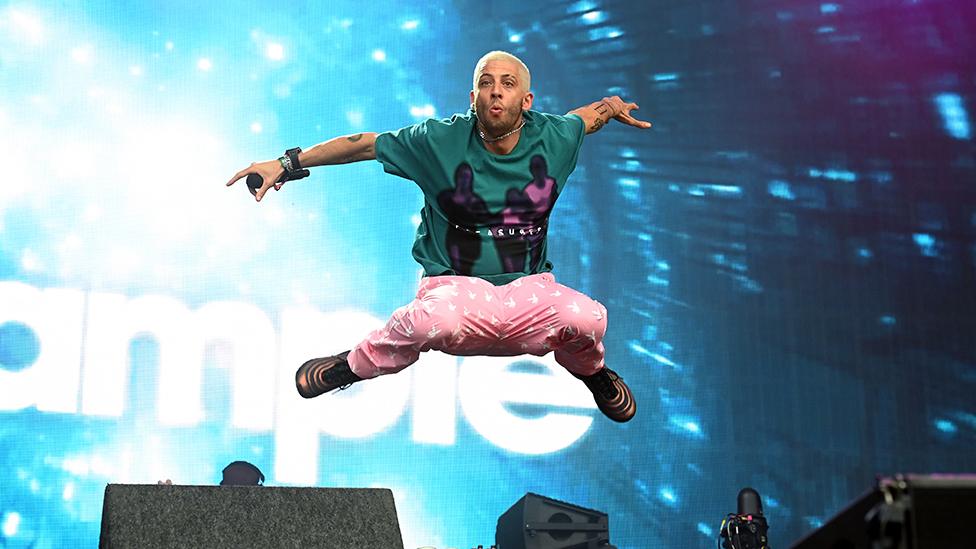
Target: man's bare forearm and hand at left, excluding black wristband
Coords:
[[340, 150]]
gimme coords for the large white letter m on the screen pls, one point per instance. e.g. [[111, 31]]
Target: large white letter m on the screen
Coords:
[[182, 336]]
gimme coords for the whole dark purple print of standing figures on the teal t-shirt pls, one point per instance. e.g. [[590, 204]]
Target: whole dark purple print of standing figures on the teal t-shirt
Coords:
[[518, 230]]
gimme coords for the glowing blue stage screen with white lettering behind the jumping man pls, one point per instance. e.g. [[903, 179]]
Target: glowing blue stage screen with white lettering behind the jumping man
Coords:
[[788, 257]]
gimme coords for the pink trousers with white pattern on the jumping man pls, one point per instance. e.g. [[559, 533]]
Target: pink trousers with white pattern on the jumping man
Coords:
[[461, 315]]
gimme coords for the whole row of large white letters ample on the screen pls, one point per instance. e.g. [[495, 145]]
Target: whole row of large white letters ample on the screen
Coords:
[[84, 349]]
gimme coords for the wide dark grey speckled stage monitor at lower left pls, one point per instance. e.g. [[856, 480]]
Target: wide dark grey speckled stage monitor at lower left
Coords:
[[156, 517]]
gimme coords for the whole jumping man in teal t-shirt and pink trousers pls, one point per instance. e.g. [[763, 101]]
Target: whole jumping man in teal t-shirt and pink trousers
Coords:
[[490, 179]]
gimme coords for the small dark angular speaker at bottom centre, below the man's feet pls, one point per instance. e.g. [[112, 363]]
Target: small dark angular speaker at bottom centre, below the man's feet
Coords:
[[538, 522]]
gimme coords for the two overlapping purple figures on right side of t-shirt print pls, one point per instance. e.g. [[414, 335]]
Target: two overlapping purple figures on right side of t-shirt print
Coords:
[[524, 220]]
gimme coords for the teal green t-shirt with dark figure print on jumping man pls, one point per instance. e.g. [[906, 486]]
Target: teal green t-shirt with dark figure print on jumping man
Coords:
[[484, 215]]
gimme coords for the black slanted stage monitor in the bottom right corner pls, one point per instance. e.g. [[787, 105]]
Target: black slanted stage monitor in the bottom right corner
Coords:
[[904, 512]]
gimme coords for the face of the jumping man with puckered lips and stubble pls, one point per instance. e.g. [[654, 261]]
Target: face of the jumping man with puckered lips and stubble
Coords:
[[500, 97]]
